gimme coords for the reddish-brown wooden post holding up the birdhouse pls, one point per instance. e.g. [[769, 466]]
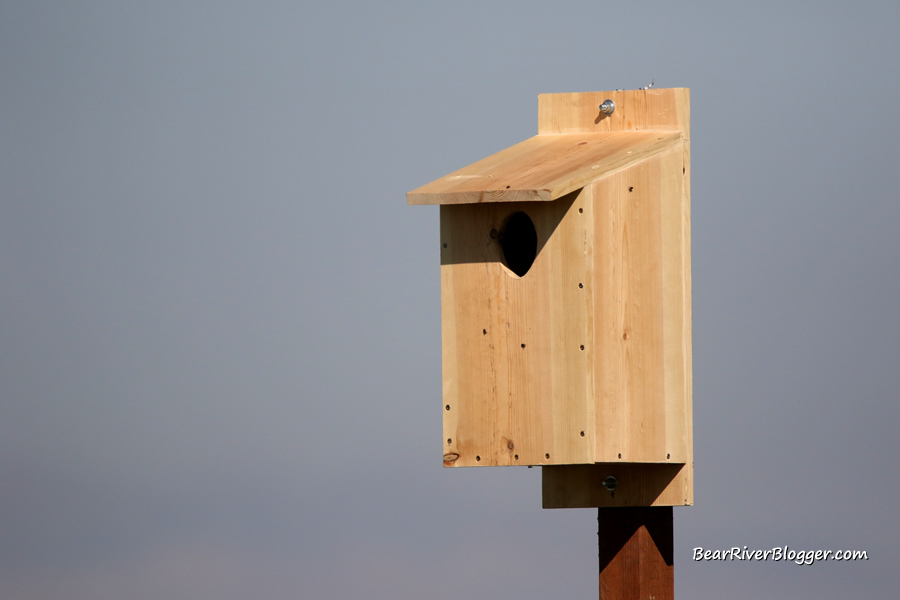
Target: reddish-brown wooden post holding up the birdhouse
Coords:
[[636, 553]]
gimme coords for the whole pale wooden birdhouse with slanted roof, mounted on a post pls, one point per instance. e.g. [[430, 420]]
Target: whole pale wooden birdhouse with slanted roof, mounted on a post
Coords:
[[566, 301]]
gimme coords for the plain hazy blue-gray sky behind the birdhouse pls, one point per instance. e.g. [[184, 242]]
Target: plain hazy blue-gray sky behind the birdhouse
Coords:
[[220, 322]]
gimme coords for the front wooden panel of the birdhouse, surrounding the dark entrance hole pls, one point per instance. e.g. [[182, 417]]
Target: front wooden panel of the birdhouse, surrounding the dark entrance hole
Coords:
[[517, 351]]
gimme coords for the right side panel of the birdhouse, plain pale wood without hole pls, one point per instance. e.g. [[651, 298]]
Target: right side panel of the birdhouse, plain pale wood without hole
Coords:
[[641, 309]]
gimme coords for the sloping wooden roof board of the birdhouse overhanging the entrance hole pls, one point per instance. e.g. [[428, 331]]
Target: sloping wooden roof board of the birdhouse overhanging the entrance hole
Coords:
[[544, 167]]
